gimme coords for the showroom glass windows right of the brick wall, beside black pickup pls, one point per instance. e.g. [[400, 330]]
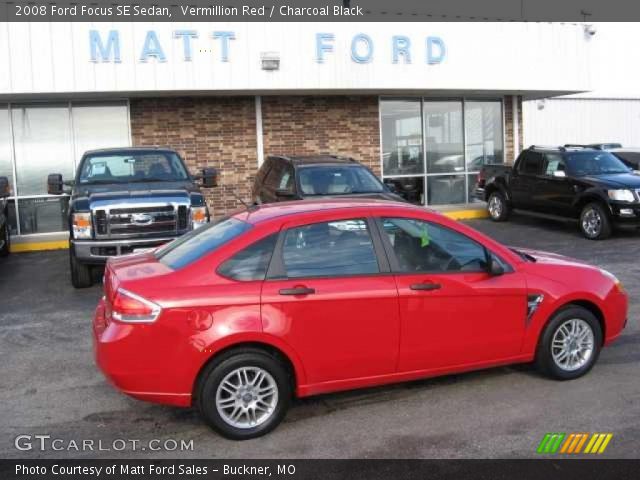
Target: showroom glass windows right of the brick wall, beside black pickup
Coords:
[[432, 149]]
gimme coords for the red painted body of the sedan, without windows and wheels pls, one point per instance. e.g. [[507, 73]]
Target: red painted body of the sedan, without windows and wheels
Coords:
[[353, 332]]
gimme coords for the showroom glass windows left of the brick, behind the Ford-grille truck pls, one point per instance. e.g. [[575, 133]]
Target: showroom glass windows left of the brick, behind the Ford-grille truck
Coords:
[[51, 138]]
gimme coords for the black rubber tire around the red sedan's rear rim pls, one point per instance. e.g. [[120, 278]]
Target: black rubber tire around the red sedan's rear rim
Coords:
[[216, 372]]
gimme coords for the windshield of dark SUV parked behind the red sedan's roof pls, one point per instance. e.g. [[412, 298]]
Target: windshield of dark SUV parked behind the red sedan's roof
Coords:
[[338, 180]]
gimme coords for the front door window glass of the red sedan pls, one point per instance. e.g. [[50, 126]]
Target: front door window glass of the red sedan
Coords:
[[427, 247]]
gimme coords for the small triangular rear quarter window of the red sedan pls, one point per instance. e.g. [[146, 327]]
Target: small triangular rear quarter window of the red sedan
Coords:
[[252, 262]]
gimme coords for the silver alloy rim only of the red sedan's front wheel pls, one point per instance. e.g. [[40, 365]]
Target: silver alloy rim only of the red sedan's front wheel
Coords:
[[572, 345]]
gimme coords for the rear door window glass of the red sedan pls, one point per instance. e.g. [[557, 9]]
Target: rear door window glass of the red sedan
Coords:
[[337, 248]]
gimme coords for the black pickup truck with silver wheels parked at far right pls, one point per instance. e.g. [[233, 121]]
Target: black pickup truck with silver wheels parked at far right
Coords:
[[586, 184]]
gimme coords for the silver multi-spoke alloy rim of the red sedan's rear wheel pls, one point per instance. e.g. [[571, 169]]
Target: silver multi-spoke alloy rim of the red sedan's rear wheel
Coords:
[[247, 397]]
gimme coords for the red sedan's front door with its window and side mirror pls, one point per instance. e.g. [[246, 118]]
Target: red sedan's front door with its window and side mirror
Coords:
[[452, 312]]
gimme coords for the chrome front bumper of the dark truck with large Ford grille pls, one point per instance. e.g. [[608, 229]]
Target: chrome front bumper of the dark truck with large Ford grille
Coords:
[[98, 251]]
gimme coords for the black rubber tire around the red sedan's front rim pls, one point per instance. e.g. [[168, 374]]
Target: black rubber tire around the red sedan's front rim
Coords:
[[544, 356]]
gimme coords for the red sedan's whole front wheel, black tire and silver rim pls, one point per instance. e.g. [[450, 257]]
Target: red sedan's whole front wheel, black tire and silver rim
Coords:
[[570, 344]]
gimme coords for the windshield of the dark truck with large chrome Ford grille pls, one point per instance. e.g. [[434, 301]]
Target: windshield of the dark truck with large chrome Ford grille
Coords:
[[128, 167]]
